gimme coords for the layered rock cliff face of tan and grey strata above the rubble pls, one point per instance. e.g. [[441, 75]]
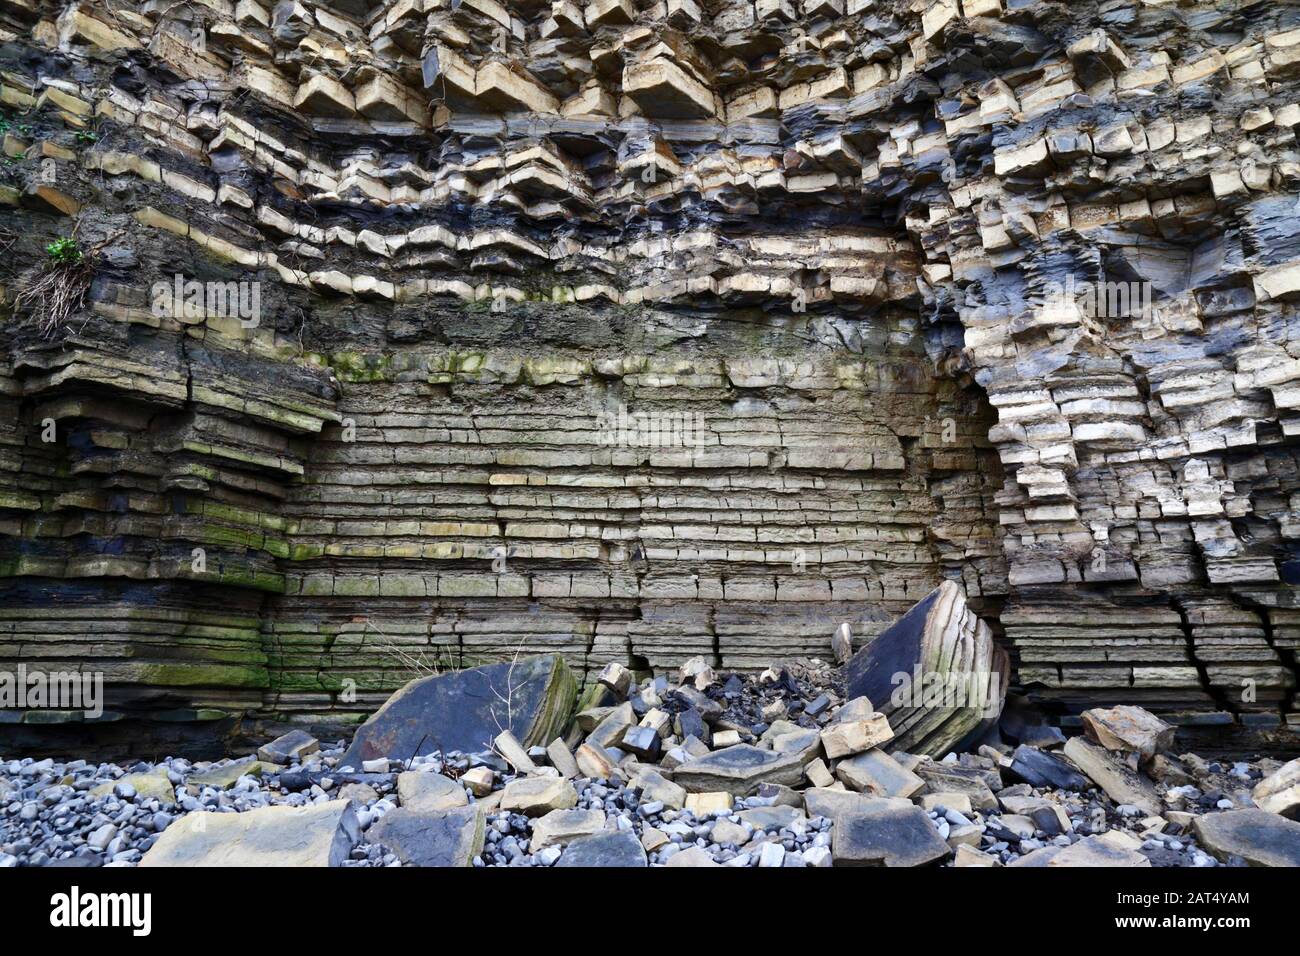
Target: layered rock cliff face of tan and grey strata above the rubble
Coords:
[[421, 334]]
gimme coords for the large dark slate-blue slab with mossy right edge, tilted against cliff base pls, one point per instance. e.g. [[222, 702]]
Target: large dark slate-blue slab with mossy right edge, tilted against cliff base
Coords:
[[466, 711]]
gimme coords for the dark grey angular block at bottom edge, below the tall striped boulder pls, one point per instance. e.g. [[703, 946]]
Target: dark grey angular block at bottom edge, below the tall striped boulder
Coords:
[[886, 834]]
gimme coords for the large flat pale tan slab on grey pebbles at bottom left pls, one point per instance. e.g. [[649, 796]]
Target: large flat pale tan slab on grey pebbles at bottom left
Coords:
[[317, 836]]
